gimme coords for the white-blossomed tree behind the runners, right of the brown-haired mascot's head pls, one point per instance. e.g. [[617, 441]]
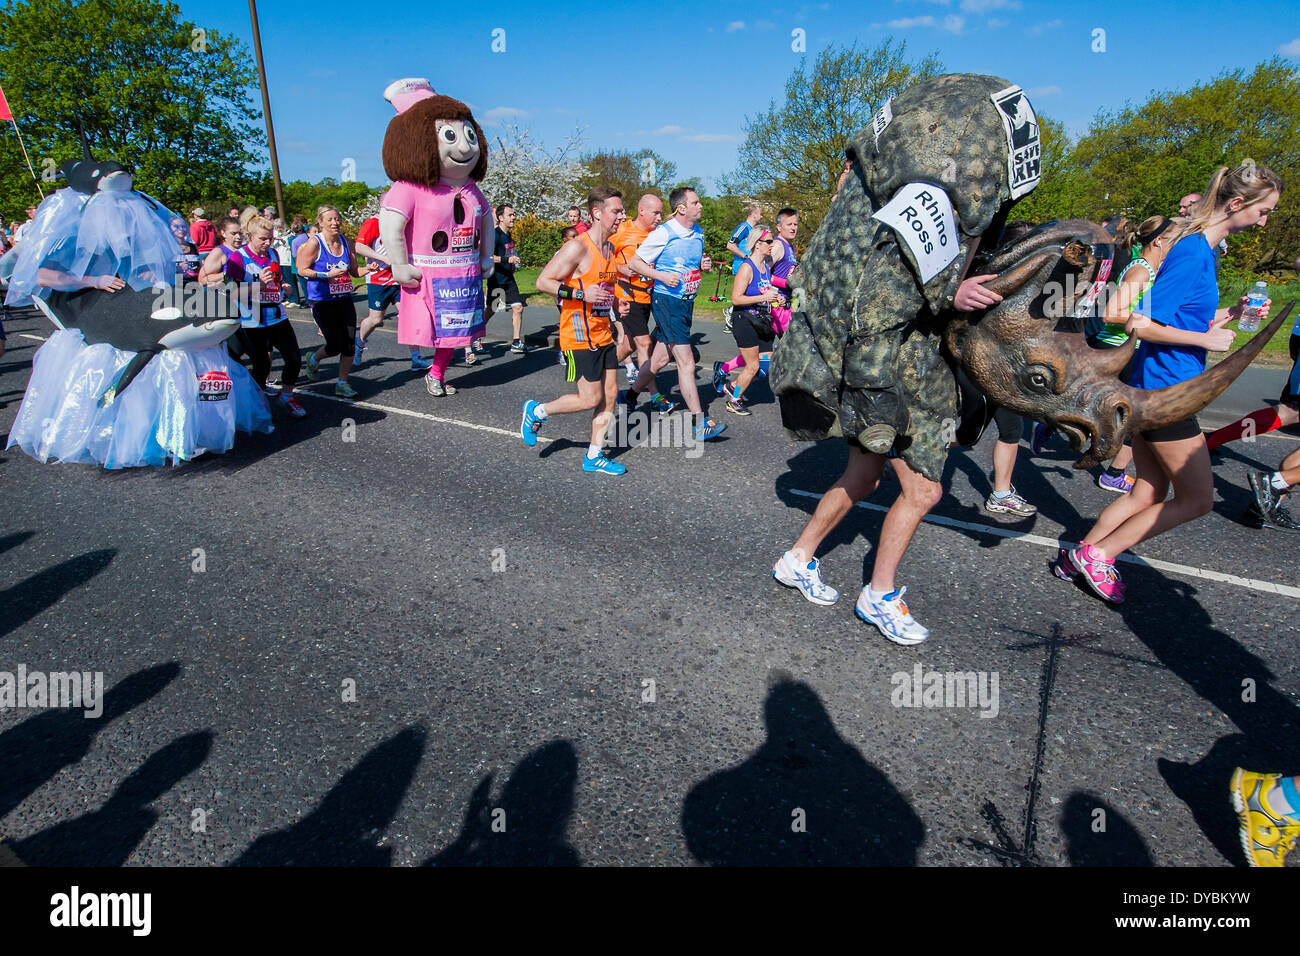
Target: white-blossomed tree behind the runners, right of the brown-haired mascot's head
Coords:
[[531, 178]]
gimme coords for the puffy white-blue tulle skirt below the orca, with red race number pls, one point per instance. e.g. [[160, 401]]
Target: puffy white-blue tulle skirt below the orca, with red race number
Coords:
[[158, 418]]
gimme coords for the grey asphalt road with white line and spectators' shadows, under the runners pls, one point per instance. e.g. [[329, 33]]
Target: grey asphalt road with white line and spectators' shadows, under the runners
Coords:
[[561, 668]]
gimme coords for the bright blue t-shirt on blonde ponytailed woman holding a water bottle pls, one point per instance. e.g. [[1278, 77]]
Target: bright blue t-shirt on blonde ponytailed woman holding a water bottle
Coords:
[[1185, 299]]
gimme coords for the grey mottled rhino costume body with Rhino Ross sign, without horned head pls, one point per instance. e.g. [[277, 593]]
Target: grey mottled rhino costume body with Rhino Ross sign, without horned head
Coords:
[[864, 354]]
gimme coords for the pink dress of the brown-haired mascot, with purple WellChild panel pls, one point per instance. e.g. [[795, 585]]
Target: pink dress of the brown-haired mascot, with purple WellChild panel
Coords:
[[448, 310]]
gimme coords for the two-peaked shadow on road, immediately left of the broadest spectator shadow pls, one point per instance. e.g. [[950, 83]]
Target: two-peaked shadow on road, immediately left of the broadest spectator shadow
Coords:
[[527, 825]]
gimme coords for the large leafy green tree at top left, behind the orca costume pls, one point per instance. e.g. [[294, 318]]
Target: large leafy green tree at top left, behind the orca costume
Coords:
[[164, 98]]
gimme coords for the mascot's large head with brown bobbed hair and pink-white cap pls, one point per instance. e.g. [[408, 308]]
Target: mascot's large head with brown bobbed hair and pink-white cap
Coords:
[[432, 139]]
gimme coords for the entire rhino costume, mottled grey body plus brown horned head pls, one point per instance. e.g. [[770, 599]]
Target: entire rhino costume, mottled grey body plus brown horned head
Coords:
[[939, 168]]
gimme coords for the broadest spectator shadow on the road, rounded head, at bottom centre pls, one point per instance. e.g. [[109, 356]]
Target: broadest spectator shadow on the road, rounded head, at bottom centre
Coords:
[[807, 775]]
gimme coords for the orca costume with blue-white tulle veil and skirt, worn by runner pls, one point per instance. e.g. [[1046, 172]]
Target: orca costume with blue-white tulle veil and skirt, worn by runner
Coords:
[[154, 335]]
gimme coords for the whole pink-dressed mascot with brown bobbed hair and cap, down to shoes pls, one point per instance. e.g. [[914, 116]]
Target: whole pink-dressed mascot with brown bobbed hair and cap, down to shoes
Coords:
[[435, 223]]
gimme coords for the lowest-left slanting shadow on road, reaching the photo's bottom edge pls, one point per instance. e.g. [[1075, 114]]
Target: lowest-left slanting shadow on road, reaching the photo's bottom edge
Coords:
[[107, 837]]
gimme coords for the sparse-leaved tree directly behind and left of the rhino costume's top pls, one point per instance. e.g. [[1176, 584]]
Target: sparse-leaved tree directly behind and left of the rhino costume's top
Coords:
[[794, 153]]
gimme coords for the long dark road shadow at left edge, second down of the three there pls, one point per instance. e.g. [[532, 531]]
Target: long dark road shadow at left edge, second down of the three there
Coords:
[[42, 746]]
